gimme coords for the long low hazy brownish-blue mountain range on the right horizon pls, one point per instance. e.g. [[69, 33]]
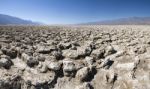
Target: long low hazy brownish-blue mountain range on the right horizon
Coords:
[[123, 21]]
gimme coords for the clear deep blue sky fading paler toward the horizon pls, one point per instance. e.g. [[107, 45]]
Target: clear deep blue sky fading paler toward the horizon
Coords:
[[74, 11]]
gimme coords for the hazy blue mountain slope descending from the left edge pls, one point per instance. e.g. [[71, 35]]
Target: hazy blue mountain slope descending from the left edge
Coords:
[[10, 20]]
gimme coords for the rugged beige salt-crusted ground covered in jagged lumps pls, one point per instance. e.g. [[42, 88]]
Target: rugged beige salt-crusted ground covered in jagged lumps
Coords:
[[75, 57]]
